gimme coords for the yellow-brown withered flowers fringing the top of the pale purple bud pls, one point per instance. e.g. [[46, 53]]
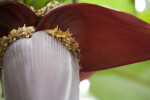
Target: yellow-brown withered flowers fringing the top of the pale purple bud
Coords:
[[26, 32]]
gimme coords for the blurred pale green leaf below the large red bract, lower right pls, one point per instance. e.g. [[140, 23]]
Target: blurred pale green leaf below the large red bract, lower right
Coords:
[[125, 83]]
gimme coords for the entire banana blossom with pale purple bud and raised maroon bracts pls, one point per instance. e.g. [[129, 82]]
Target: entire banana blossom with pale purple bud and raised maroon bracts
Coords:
[[40, 67]]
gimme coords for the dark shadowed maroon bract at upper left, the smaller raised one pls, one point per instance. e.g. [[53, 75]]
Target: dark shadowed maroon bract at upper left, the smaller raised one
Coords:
[[14, 15]]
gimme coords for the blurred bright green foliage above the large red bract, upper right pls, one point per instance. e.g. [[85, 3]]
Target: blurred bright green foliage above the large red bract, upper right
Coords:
[[125, 6]]
